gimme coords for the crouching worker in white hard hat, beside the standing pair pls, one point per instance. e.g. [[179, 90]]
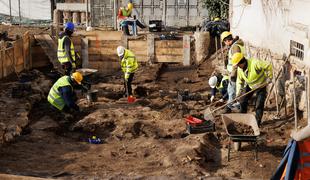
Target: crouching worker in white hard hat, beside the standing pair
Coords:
[[219, 83]]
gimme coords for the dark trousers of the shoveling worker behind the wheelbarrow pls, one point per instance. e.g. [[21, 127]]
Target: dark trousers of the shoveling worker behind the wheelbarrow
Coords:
[[259, 104]]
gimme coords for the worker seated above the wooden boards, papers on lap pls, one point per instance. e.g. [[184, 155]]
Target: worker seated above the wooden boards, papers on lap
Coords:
[[124, 18]]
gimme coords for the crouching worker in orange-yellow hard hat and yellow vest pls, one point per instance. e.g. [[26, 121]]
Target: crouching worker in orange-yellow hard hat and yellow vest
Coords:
[[62, 95]]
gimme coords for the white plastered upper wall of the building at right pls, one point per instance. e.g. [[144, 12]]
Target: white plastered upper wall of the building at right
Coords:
[[271, 24]]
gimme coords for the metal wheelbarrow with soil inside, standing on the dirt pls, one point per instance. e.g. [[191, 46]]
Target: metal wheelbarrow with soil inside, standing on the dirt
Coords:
[[230, 123]]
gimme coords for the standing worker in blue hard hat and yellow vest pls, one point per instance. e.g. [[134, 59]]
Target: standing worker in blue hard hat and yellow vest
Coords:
[[66, 53]]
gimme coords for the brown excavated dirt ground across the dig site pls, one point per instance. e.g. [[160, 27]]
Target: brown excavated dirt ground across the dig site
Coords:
[[140, 140]]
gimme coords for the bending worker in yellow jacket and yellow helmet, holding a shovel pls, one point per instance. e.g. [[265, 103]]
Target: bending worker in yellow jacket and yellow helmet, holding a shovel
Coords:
[[252, 74]]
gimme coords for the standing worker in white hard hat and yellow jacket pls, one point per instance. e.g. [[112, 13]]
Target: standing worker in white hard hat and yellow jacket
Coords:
[[129, 66]]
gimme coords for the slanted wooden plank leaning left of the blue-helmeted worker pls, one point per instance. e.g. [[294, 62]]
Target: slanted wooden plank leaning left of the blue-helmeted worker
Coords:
[[50, 49]]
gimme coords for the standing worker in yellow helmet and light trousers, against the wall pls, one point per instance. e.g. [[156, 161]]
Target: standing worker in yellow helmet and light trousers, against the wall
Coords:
[[235, 45]]
